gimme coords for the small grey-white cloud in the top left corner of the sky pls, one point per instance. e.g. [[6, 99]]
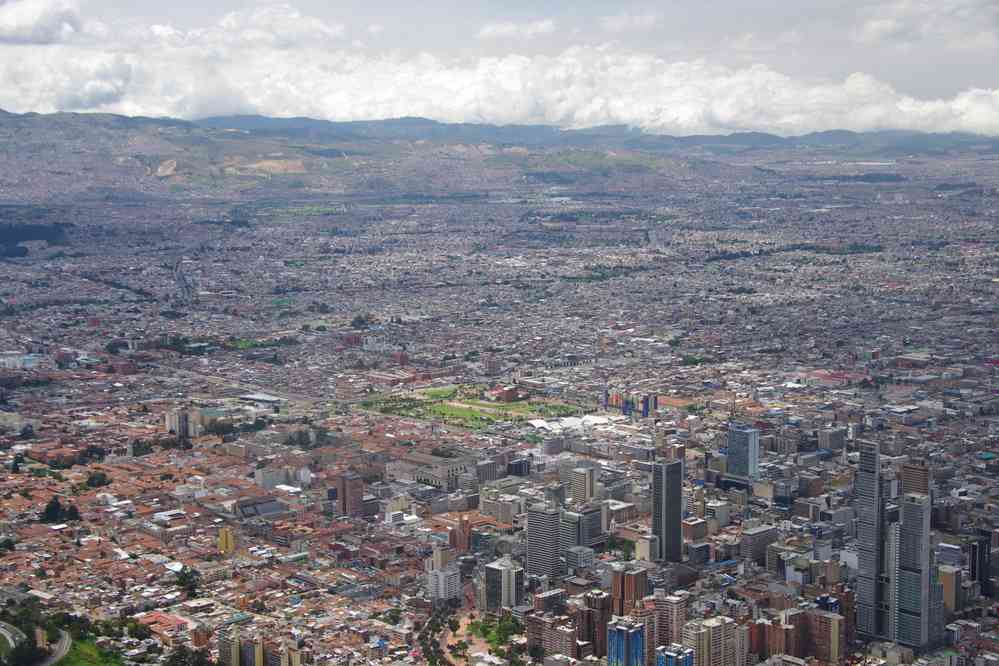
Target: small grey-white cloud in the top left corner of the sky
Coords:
[[38, 21]]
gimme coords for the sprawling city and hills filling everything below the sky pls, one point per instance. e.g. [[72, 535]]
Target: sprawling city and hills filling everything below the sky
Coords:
[[286, 393]]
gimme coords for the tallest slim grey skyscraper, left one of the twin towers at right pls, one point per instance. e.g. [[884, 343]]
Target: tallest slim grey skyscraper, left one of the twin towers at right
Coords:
[[872, 598]]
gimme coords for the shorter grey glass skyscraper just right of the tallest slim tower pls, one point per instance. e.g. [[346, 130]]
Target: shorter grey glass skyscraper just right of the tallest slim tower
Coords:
[[914, 577]]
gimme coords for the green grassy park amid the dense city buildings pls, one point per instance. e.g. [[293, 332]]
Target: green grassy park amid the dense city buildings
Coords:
[[462, 406]]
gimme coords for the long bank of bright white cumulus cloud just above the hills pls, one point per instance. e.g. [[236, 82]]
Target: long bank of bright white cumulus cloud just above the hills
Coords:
[[275, 64]]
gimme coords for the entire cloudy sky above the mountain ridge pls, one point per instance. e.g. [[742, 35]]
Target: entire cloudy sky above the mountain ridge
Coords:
[[681, 67]]
